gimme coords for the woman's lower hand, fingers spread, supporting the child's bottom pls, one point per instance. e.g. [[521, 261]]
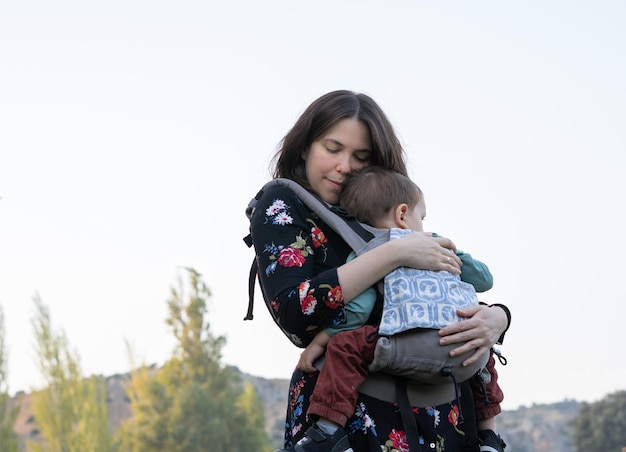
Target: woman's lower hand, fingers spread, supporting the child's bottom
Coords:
[[480, 331]]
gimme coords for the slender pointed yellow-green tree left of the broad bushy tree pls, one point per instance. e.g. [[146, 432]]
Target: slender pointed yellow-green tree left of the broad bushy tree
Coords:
[[71, 411]]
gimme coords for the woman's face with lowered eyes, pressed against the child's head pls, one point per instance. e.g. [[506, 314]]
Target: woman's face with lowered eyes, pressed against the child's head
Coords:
[[346, 147]]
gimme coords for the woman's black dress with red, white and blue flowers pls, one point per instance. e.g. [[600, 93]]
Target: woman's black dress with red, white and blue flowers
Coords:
[[298, 256]]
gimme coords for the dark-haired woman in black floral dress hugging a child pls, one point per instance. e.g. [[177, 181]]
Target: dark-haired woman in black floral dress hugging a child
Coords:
[[303, 267]]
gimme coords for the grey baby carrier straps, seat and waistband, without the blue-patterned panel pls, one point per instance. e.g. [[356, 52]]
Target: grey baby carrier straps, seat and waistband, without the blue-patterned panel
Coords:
[[410, 367]]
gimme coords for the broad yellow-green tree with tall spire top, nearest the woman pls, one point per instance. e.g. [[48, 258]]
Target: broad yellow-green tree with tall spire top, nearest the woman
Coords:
[[192, 403]]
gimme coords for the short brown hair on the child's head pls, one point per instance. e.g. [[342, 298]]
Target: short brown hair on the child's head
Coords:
[[369, 194]]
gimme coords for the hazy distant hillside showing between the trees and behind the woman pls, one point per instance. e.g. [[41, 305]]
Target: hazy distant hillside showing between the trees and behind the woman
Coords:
[[538, 428]]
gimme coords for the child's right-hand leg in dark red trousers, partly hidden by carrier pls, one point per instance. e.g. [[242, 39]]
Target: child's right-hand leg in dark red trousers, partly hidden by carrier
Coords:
[[487, 398]]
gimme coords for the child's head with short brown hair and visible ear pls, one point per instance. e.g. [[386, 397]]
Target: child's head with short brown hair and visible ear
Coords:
[[384, 199]]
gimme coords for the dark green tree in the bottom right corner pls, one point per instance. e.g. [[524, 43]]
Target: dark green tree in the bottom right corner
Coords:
[[601, 425]]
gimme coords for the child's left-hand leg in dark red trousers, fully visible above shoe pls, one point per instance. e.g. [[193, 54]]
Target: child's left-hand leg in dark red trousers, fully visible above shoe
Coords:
[[345, 368]]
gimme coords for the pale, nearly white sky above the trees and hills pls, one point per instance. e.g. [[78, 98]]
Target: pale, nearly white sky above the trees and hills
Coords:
[[133, 134]]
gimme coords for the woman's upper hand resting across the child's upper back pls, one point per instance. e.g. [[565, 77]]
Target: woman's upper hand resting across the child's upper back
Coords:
[[425, 252]]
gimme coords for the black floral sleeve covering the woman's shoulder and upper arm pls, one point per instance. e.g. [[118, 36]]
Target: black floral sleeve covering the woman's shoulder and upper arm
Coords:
[[298, 258]]
